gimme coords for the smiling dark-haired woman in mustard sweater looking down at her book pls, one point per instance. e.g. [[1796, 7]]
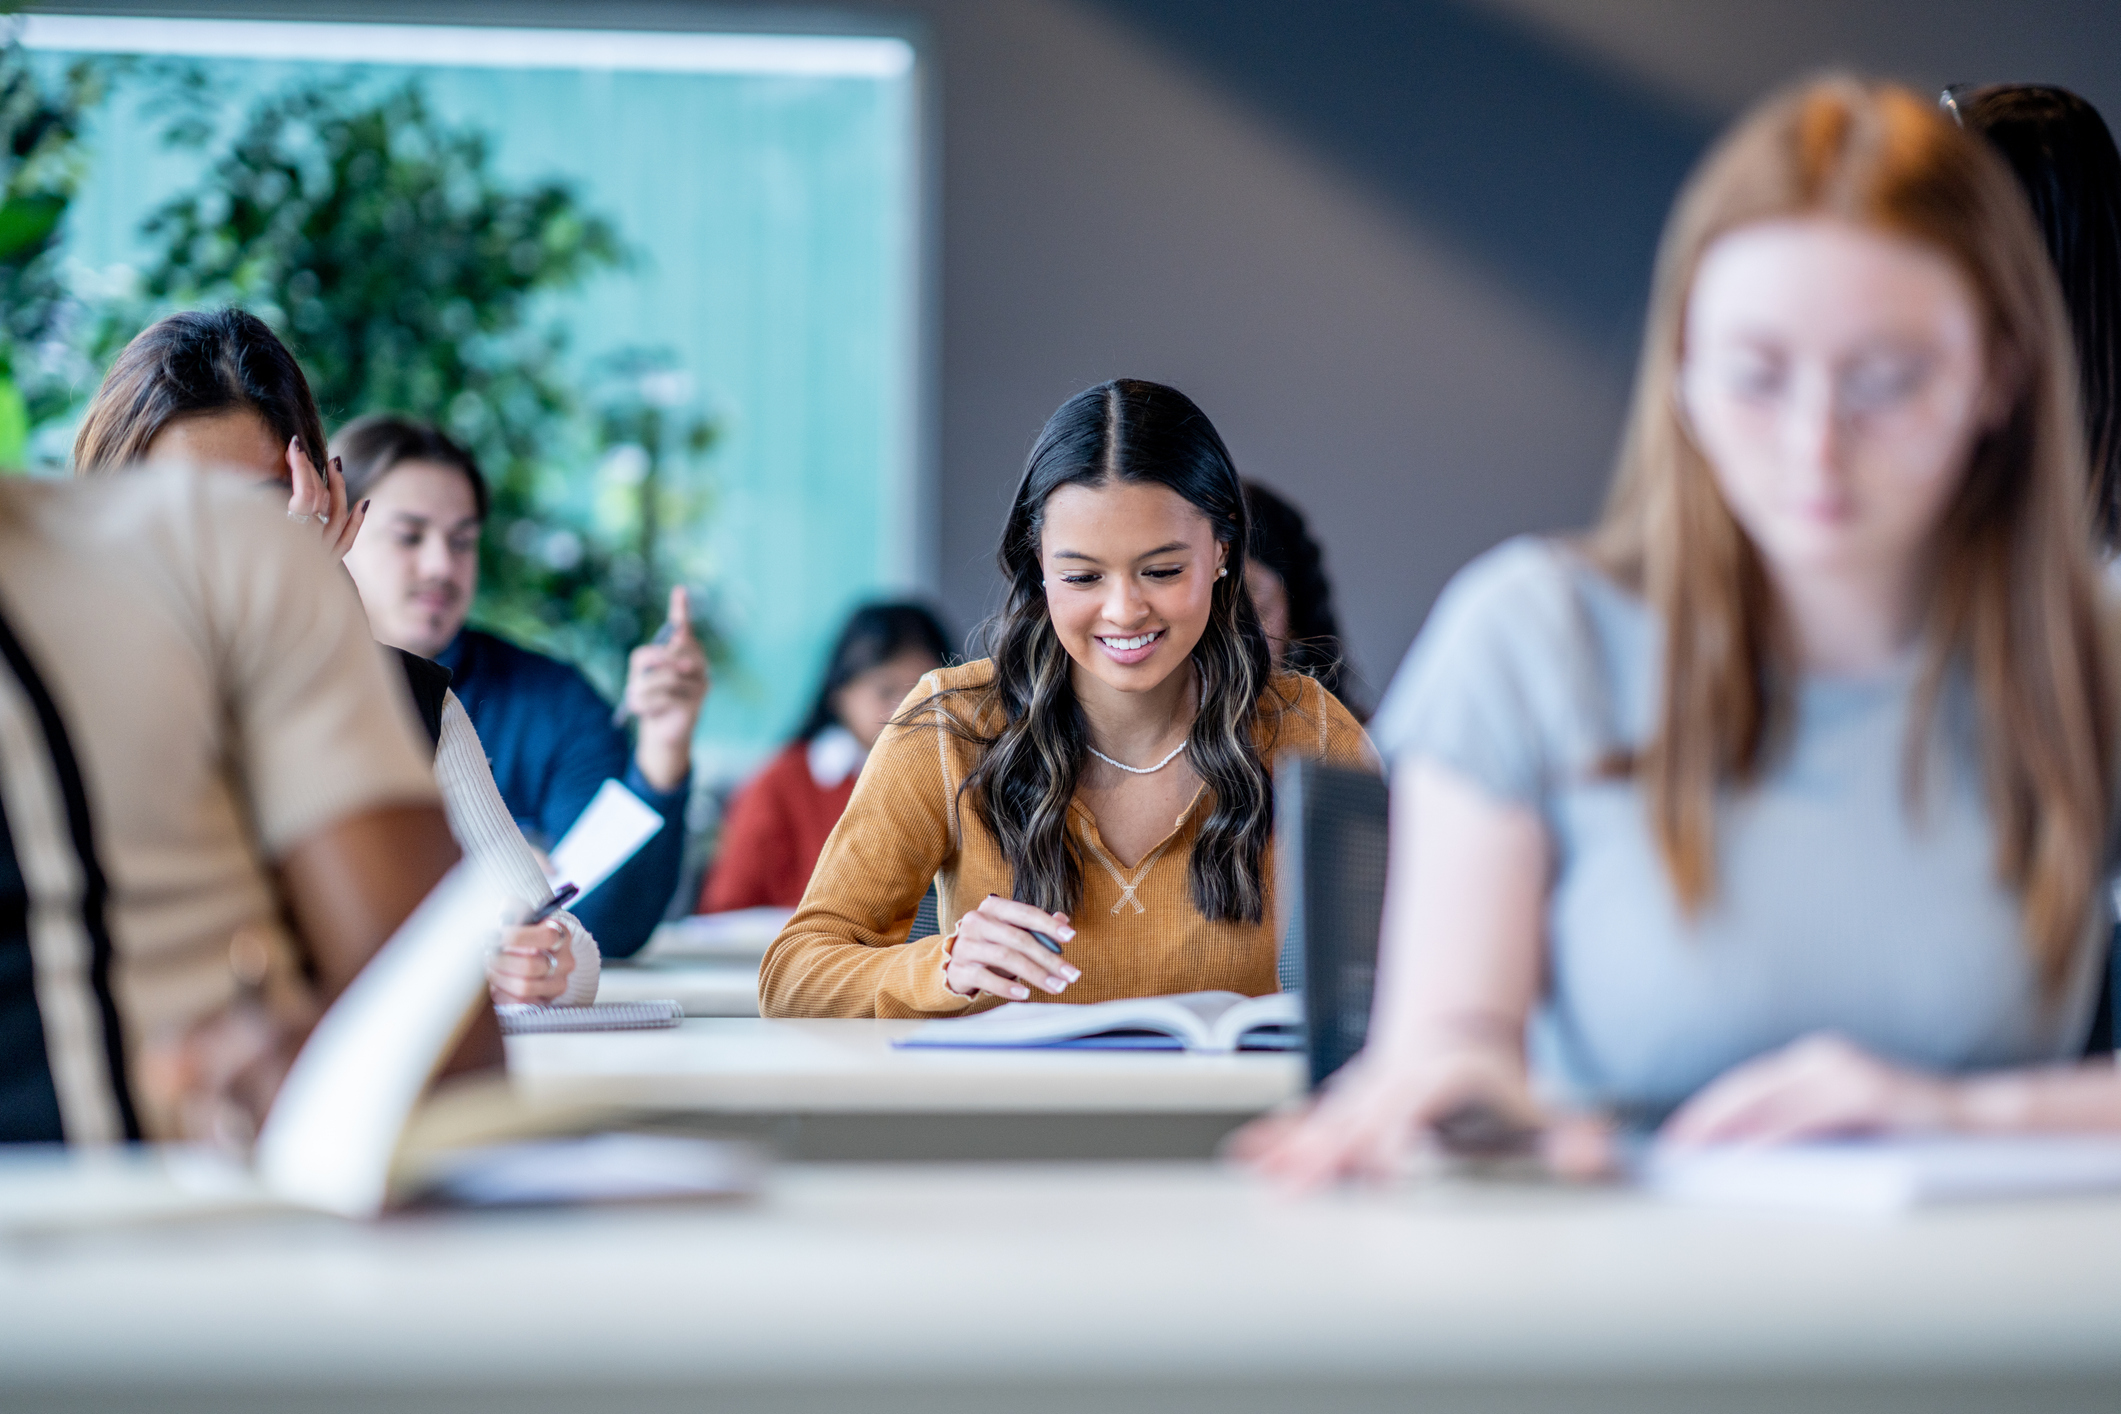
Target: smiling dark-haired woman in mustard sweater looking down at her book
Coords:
[[1102, 779]]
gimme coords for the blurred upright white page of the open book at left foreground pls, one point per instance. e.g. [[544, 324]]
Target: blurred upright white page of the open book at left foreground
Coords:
[[336, 1123]]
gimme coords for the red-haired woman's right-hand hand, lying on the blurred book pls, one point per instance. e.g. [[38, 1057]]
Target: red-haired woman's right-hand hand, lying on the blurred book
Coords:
[[1808, 1091]]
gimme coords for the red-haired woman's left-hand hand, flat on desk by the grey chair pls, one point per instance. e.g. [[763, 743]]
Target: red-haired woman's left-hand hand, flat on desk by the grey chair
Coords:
[[1382, 1112]]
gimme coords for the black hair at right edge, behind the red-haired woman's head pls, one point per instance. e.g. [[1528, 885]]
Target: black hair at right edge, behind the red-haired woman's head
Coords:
[[2065, 158]]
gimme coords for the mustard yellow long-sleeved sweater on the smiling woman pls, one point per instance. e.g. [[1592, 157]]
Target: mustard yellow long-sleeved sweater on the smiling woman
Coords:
[[1138, 934]]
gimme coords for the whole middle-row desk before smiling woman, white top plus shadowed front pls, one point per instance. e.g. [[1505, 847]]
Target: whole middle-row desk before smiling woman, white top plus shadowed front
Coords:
[[839, 1091]]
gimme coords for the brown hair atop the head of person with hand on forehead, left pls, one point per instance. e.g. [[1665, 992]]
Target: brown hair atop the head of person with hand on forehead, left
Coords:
[[188, 366]]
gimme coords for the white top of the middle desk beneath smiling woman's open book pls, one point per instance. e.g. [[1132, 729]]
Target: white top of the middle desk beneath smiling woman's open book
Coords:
[[784, 1067]]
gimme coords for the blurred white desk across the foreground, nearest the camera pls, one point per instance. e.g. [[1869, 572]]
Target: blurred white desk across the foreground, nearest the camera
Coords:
[[1138, 1282]]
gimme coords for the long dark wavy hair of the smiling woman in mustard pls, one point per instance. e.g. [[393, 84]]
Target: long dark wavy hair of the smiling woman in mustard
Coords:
[[1026, 779]]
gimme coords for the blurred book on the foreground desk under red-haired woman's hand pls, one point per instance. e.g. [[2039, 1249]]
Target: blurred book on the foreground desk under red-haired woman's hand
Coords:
[[1887, 1176]]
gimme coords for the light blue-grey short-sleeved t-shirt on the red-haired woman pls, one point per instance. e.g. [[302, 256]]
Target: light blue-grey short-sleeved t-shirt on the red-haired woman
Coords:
[[1840, 906]]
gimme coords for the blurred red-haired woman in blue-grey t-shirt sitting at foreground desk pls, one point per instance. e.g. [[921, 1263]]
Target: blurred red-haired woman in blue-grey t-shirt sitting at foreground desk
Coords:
[[1785, 796]]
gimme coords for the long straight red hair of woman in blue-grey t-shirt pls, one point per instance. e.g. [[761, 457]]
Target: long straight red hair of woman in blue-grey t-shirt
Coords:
[[2014, 599]]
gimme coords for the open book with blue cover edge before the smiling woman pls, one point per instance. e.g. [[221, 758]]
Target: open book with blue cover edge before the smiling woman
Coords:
[[1185, 1023]]
